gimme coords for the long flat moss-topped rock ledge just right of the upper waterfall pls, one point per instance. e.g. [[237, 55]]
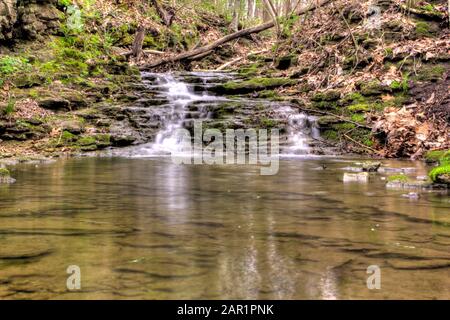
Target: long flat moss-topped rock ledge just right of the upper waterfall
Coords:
[[256, 84]]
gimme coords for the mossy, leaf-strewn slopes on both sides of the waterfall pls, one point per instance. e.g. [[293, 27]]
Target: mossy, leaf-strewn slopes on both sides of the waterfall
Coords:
[[377, 76]]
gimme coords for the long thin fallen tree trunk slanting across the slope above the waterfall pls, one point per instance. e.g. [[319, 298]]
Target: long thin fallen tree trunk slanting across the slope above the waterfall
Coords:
[[230, 37]]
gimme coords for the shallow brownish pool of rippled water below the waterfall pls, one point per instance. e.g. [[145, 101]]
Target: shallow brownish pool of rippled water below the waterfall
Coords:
[[149, 229]]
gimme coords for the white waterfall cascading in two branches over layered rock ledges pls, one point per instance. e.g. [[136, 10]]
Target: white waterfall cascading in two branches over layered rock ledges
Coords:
[[187, 99]]
